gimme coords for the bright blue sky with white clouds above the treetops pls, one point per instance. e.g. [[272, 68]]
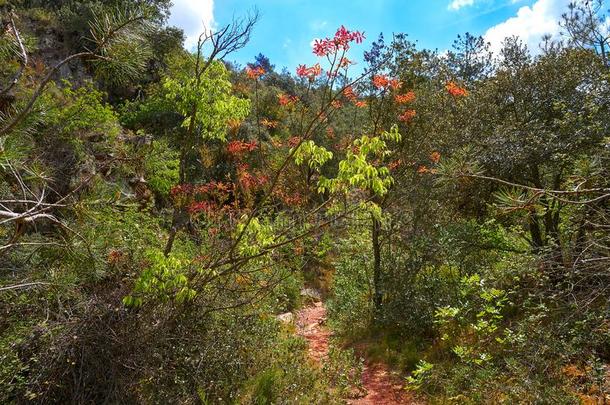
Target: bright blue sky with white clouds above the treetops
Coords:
[[287, 27]]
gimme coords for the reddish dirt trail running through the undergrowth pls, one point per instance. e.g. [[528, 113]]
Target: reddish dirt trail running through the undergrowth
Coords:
[[382, 386]]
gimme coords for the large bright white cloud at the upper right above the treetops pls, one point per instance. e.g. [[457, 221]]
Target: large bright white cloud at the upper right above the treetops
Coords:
[[530, 24]]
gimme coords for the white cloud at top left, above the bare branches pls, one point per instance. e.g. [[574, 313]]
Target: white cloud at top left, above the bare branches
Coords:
[[193, 16]]
